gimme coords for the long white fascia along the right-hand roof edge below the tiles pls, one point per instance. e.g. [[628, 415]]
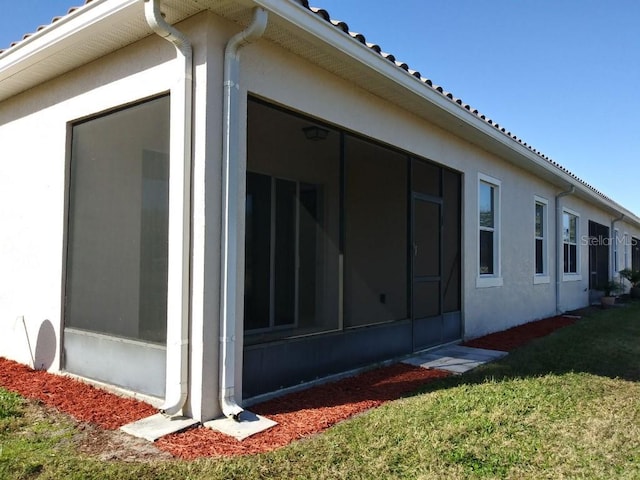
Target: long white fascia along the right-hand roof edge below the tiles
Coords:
[[330, 35]]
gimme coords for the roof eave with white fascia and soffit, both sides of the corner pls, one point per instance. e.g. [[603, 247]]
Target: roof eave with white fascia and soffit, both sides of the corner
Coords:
[[32, 61]]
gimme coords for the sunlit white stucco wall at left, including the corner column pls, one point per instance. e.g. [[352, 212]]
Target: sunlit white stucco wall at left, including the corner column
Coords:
[[35, 131]]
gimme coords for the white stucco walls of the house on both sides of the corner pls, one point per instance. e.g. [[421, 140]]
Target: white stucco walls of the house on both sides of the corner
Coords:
[[34, 128]]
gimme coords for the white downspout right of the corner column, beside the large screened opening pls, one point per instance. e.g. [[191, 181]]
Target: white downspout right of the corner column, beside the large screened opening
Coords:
[[229, 237]]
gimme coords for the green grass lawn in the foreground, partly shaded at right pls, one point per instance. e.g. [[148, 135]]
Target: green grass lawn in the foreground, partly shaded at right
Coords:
[[566, 406]]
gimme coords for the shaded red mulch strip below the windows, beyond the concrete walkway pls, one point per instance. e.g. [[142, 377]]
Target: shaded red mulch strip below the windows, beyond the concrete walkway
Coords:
[[515, 337]]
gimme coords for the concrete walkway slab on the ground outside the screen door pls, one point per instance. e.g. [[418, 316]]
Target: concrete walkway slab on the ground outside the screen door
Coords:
[[455, 358]]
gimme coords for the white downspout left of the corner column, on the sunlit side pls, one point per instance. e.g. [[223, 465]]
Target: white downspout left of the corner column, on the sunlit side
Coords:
[[179, 213]]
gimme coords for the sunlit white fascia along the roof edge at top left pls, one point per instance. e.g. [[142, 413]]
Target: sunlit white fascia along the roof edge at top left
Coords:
[[57, 36]]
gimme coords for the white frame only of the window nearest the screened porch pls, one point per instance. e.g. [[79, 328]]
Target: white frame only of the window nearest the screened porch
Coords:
[[493, 279]]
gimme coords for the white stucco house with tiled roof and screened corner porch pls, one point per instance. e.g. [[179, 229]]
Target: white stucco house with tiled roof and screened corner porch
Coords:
[[205, 201]]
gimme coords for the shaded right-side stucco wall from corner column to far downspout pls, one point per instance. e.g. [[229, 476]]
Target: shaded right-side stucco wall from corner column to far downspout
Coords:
[[287, 80]]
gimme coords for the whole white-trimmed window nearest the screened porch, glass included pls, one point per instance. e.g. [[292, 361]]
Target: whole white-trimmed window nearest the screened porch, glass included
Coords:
[[489, 228]]
